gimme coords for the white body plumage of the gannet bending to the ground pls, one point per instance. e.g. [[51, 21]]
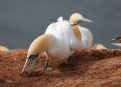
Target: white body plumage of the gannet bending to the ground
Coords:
[[65, 41]]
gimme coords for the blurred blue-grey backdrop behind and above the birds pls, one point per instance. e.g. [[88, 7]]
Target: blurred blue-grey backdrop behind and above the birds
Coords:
[[21, 21]]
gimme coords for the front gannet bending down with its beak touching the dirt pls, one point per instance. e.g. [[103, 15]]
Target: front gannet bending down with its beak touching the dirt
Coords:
[[57, 42]]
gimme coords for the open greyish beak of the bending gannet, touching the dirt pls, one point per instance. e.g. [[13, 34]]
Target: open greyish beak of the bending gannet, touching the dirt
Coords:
[[31, 59]]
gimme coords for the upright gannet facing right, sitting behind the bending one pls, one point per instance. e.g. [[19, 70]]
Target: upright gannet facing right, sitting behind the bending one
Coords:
[[82, 33]]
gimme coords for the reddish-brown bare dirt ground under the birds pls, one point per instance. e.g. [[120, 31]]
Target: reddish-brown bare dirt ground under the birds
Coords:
[[94, 68]]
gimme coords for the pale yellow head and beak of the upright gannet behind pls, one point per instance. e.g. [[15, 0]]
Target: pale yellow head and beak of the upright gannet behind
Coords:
[[77, 18]]
